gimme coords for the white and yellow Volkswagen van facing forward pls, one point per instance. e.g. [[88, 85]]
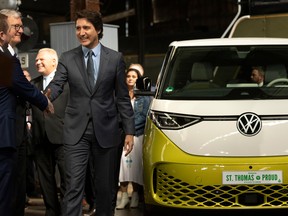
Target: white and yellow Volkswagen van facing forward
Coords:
[[213, 138]]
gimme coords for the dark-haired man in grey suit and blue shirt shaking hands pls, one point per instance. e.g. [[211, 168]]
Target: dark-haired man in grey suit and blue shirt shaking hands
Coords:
[[91, 120]]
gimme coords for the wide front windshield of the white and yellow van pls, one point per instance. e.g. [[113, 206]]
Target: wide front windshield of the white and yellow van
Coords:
[[226, 73]]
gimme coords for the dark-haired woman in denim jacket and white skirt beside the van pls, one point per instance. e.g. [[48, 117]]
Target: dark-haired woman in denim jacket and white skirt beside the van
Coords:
[[131, 168]]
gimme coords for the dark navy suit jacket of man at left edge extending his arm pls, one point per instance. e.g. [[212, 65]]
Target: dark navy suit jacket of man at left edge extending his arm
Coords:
[[20, 87]]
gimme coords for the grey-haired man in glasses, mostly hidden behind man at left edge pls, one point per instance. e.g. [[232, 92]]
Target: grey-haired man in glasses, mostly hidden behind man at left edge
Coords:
[[15, 31]]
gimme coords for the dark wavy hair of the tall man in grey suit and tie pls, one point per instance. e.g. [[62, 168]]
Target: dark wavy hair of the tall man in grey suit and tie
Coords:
[[94, 17]]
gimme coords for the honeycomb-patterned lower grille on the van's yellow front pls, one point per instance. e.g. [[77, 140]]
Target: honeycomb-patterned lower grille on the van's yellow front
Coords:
[[173, 191]]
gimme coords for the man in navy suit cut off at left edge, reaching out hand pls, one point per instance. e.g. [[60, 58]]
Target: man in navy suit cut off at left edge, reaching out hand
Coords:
[[18, 86]]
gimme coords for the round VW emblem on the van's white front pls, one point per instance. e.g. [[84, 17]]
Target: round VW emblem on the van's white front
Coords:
[[249, 124]]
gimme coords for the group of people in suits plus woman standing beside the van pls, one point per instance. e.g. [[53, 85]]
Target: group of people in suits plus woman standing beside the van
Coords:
[[86, 122]]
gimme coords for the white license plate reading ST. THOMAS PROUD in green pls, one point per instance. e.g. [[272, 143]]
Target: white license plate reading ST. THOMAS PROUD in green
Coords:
[[252, 177]]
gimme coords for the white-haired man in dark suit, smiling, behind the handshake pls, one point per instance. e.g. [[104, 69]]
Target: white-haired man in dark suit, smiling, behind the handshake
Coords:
[[47, 134]]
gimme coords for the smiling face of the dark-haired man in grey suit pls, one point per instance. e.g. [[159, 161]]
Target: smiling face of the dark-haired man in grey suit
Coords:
[[86, 33]]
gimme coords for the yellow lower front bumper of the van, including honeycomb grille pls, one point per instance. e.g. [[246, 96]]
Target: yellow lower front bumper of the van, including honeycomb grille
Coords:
[[173, 178]]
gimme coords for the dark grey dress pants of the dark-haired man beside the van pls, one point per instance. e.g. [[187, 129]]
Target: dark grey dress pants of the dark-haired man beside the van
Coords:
[[76, 161]]
